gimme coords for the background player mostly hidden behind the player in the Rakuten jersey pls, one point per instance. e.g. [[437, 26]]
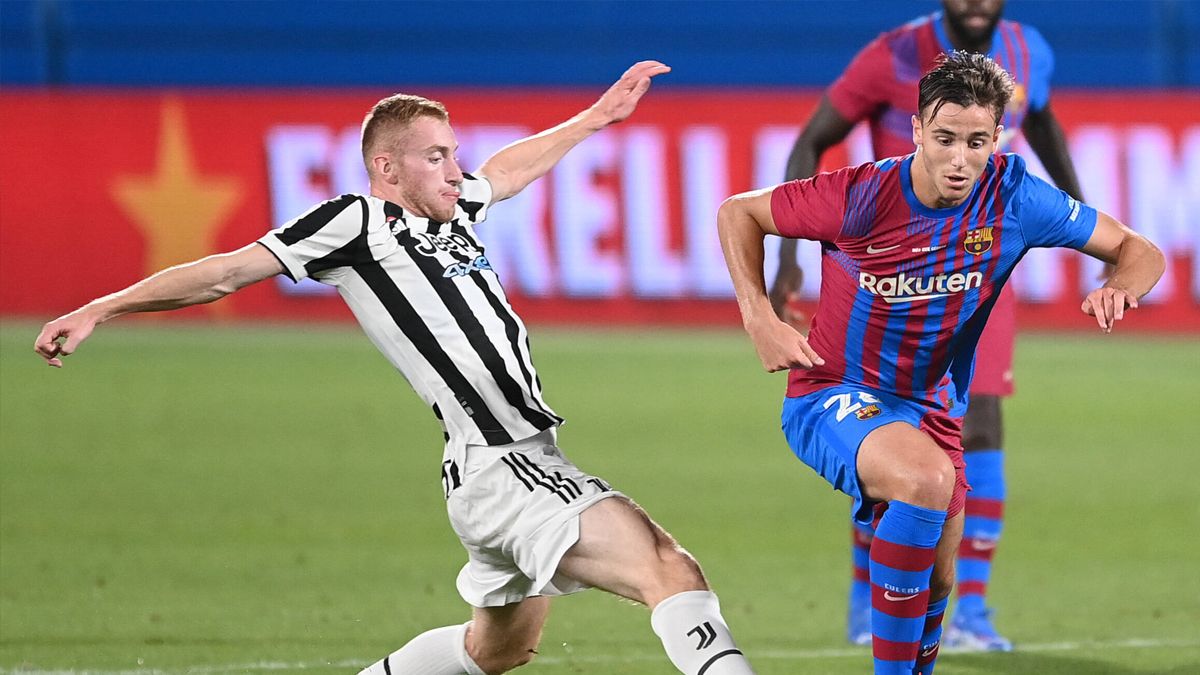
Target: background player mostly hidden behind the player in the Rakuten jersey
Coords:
[[880, 86]]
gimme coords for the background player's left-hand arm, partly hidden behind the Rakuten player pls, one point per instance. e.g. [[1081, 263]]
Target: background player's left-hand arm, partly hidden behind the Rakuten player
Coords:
[[824, 130]]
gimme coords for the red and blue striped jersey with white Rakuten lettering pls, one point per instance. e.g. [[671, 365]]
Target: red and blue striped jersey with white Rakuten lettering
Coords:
[[907, 289]]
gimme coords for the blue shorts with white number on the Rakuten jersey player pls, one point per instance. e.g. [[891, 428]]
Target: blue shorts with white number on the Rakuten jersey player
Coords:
[[826, 428]]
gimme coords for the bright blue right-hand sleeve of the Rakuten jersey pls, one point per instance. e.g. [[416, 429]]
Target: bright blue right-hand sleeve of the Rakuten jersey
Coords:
[[1048, 217]]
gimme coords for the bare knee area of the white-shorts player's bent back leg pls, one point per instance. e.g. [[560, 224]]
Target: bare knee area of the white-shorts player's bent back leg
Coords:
[[501, 637]]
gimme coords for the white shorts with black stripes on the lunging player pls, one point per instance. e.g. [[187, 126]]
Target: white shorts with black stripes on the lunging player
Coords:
[[517, 511]]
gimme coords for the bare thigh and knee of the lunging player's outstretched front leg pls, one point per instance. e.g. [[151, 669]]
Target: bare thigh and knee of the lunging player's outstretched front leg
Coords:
[[622, 551]]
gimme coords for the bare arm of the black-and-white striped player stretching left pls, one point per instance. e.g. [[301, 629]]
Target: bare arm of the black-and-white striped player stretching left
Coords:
[[190, 284]]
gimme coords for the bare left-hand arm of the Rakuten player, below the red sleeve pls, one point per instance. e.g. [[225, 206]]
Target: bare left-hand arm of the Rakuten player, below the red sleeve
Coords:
[[742, 223]]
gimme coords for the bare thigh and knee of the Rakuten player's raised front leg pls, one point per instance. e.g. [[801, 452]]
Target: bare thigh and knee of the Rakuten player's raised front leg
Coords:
[[899, 462]]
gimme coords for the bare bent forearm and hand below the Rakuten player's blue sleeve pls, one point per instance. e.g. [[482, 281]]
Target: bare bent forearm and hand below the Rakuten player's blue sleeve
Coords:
[[1138, 267]]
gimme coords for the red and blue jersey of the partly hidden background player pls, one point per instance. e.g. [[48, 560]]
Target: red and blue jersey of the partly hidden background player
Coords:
[[880, 85]]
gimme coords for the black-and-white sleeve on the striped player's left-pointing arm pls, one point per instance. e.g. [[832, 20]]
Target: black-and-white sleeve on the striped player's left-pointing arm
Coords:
[[331, 235]]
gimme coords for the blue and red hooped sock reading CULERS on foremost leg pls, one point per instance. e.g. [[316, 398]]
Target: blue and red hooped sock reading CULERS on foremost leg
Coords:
[[902, 564]]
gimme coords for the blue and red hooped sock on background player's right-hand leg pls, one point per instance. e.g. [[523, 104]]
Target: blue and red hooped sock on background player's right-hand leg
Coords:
[[982, 528]]
